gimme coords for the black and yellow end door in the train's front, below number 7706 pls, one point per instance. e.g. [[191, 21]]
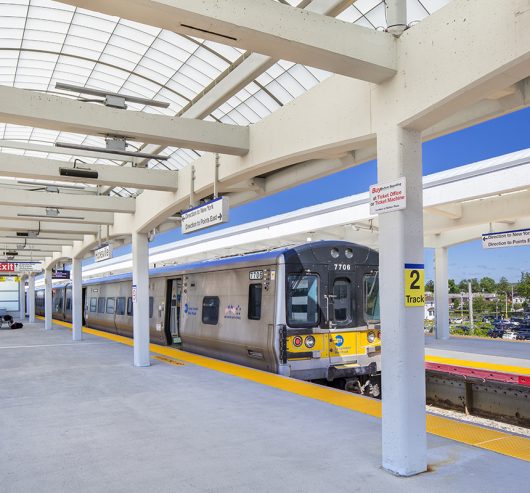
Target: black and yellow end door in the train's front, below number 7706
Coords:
[[341, 314]]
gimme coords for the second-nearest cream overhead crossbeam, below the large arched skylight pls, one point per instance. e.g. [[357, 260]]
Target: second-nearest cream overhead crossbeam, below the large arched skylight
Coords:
[[23, 107]]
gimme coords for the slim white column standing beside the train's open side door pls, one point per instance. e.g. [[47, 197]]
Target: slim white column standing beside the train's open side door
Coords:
[[140, 251]]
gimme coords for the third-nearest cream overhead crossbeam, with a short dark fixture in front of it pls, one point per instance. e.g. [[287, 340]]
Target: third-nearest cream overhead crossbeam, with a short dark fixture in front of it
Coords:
[[46, 169]]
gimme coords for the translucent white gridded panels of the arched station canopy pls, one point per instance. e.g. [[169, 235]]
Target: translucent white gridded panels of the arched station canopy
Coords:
[[44, 42]]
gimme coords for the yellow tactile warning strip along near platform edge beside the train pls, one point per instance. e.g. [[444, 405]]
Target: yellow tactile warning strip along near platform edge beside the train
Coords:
[[493, 440]]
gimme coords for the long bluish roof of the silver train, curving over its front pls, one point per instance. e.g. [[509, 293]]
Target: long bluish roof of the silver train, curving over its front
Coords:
[[307, 252]]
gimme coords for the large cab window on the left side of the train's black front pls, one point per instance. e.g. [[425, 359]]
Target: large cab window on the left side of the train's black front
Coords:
[[302, 300]]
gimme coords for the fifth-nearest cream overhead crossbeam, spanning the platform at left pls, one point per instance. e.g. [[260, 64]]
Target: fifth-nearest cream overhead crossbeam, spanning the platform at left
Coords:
[[39, 214]]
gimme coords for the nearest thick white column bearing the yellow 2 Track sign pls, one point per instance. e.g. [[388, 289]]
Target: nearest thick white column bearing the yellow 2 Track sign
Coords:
[[403, 370]]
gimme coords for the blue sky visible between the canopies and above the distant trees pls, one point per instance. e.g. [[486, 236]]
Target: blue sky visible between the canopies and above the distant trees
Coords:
[[496, 137]]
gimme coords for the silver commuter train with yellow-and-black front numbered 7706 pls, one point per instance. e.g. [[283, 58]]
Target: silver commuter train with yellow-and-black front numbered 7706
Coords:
[[310, 312]]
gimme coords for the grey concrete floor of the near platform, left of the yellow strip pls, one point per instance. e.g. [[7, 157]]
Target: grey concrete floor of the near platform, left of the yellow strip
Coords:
[[78, 417]]
